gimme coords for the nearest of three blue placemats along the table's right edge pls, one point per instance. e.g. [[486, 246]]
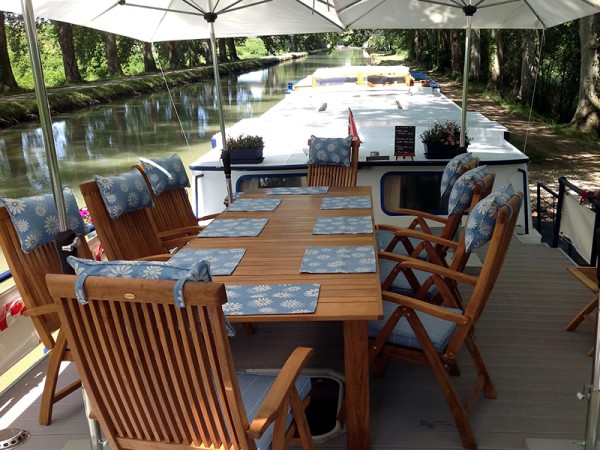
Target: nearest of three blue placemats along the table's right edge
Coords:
[[352, 259]]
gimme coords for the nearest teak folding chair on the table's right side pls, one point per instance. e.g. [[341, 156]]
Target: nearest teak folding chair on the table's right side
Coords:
[[424, 333]]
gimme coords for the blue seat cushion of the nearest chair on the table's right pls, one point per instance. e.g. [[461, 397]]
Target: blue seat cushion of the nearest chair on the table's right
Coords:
[[440, 331]]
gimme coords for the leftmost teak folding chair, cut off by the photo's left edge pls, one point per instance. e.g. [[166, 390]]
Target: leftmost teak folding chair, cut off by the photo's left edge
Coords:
[[28, 271]]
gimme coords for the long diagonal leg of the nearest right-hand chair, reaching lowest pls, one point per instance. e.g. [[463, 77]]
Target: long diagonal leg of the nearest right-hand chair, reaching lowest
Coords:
[[452, 399]]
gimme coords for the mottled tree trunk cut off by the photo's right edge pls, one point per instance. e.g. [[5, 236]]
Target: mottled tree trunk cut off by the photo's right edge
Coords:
[[587, 114]]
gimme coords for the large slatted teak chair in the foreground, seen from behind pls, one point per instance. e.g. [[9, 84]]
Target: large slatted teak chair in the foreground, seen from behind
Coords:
[[160, 376]]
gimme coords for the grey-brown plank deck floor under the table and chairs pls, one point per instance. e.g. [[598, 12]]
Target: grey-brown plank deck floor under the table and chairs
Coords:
[[537, 367]]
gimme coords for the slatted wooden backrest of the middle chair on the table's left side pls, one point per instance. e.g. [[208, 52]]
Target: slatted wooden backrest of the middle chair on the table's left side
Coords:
[[131, 236]]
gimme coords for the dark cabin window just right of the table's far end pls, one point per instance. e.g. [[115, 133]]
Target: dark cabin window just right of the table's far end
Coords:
[[412, 190]]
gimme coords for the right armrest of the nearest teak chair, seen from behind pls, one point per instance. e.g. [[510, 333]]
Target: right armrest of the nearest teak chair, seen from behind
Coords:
[[278, 395]]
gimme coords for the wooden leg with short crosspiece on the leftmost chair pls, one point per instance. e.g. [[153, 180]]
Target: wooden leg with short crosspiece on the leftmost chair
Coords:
[[50, 395]]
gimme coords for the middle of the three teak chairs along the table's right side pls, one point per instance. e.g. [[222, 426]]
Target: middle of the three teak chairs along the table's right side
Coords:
[[405, 241]]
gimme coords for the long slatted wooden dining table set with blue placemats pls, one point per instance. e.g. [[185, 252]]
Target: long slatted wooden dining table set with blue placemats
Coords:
[[275, 257]]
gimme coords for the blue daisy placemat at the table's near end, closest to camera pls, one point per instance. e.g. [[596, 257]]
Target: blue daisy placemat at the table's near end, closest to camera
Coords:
[[271, 299]]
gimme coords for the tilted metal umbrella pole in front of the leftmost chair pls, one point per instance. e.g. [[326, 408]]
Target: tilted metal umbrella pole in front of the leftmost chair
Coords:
[[44, 112]]
